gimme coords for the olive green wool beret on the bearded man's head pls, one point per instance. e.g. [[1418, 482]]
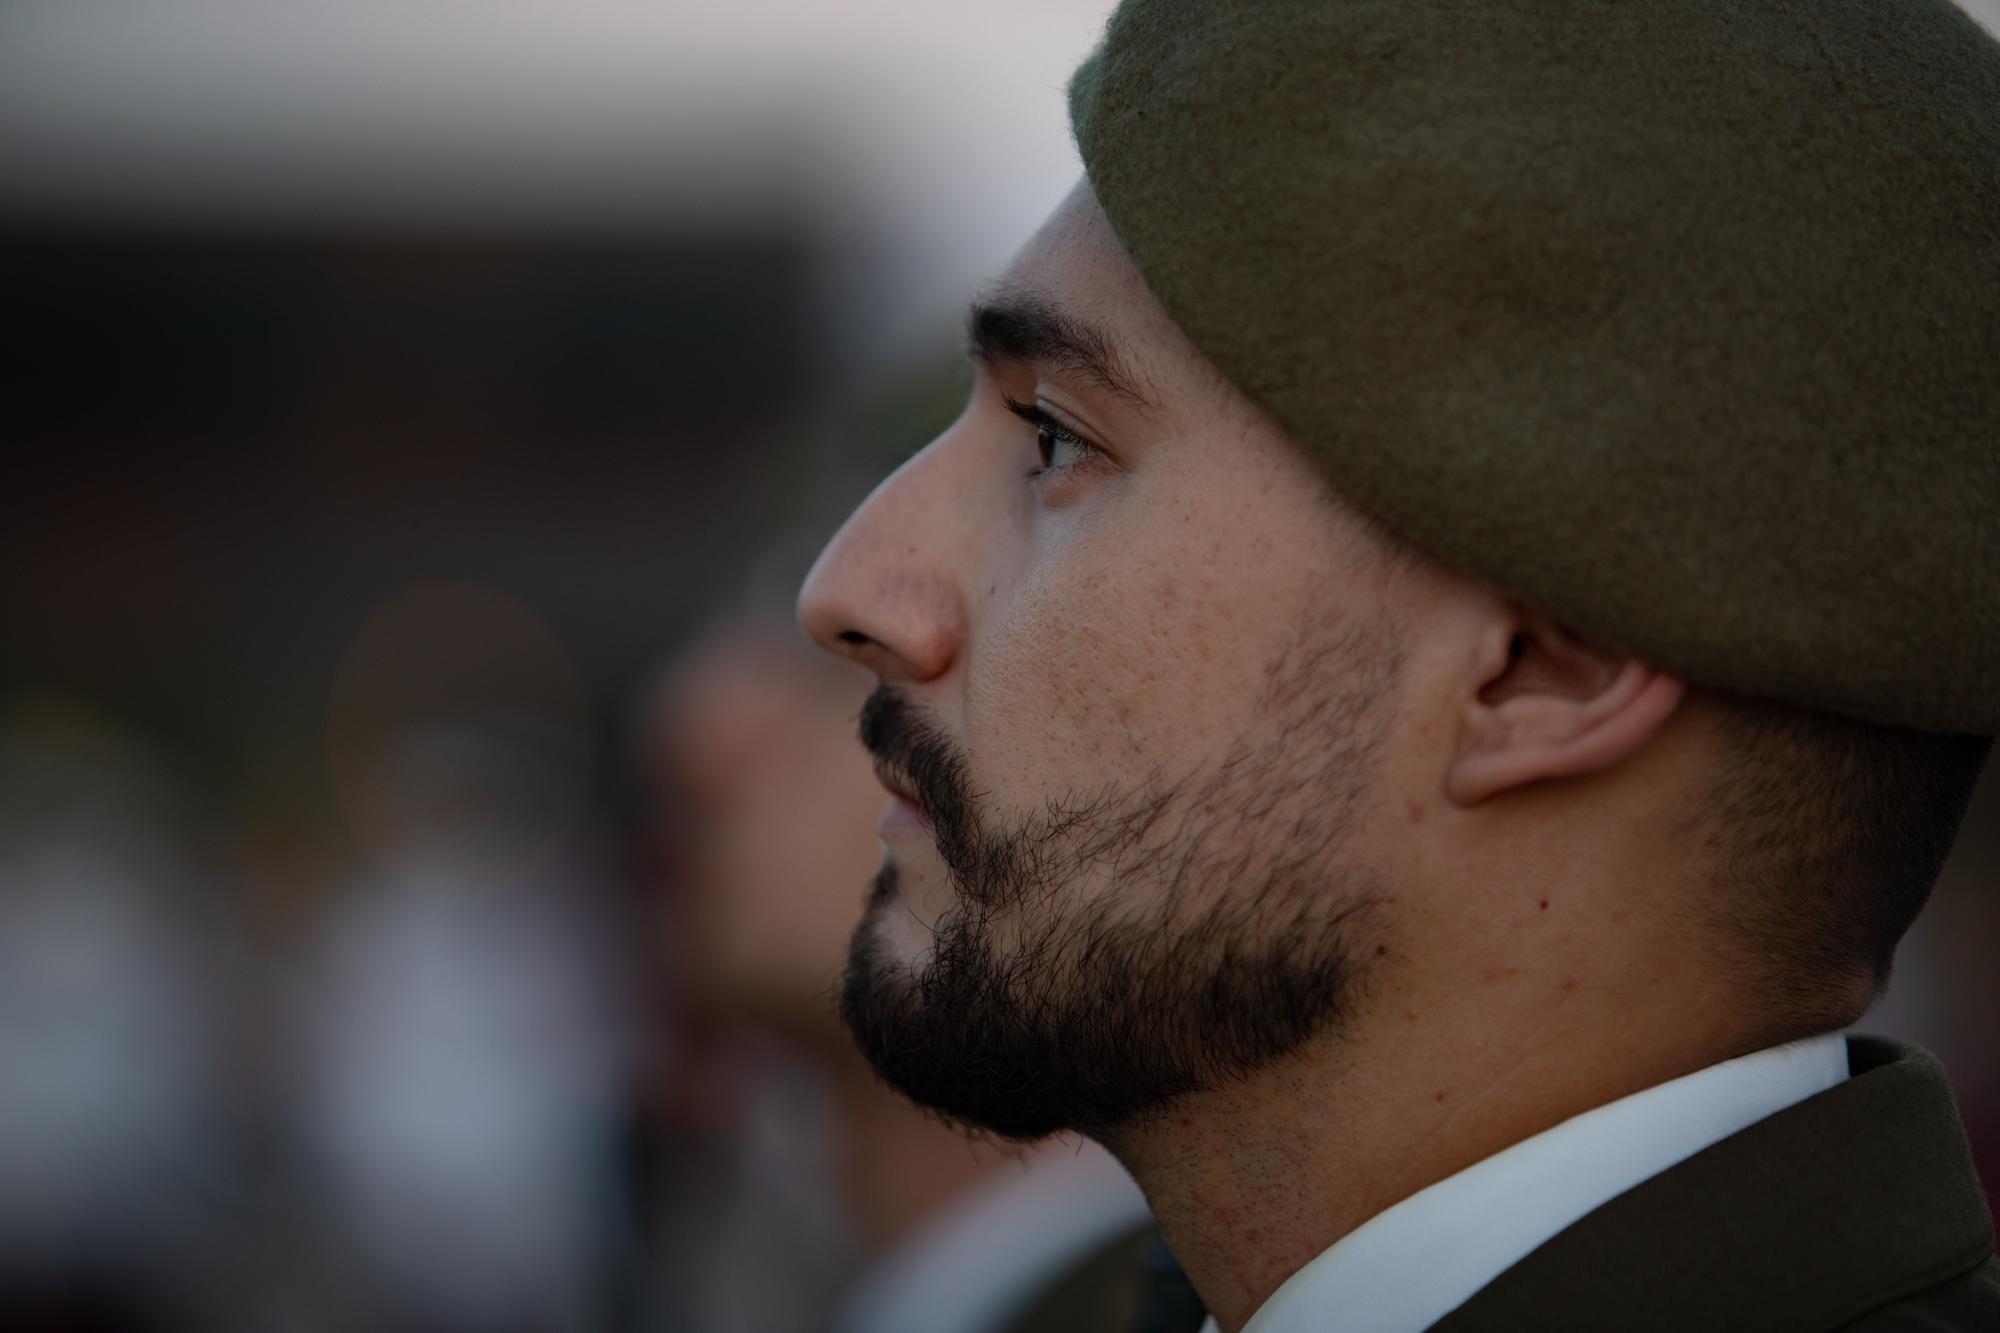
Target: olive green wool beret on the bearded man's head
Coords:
[[1677, 319]]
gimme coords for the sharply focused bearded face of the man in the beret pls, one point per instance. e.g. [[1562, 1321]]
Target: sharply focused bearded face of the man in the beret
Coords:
[[1141, 678]]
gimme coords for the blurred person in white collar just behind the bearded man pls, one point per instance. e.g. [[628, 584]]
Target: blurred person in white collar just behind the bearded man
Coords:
[[925, 1232]]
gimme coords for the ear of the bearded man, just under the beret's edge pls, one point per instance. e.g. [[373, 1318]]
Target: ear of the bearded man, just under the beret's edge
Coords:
[[1545, 704]]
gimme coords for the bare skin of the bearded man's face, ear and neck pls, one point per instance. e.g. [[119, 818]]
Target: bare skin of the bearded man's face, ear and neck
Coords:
[[1545, 942]]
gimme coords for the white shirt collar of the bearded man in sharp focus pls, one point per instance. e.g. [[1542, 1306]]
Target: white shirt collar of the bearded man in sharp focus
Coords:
[[1427, 1256]]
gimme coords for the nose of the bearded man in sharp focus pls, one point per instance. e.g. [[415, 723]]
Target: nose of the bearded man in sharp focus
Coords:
[[887, 591]]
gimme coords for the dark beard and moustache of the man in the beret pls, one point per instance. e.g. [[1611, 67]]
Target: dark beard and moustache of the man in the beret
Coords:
[[1099, 1016]]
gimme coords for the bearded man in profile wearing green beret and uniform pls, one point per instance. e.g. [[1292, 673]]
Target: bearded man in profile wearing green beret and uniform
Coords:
[[1449, 645]]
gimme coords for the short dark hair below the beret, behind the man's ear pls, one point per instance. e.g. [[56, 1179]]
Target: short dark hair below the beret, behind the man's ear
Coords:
[[1829, 840]]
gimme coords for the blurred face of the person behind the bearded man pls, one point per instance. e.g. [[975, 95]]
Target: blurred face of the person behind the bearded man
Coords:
[[769, 800]]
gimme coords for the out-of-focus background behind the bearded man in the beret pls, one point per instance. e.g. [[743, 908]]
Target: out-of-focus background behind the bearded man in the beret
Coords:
[[415, 423]]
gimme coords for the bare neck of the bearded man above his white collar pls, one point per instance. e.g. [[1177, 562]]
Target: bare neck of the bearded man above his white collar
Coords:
[[1253, 1182]]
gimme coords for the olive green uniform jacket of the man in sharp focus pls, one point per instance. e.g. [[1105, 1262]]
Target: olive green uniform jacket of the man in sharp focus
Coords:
[[1853, 1210]]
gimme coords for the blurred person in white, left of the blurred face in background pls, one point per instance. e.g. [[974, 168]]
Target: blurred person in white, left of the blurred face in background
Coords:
[[465, 1058]]
